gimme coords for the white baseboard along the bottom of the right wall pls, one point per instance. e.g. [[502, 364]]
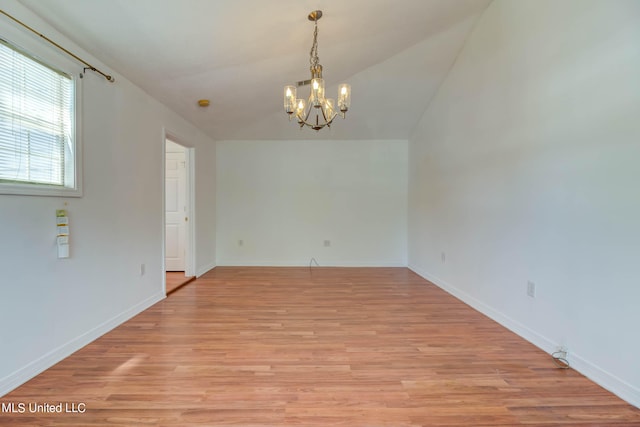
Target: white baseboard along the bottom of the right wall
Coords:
[[601, 377]]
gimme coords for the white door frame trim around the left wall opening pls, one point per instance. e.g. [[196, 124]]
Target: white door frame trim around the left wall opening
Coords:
[[190, 247]]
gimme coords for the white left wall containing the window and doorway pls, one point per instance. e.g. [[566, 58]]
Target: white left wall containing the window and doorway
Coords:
[[50, 307]]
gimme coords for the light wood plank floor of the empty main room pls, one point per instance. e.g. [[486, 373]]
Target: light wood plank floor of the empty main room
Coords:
[[321, 347]]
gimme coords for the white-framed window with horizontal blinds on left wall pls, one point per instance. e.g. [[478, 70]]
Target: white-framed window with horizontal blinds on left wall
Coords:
[[38, 147]]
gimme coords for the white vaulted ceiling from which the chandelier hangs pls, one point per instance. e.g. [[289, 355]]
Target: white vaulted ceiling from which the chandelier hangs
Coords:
[[241, 53]]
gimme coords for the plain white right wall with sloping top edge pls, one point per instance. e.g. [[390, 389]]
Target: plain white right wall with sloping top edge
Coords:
[[525, 168]]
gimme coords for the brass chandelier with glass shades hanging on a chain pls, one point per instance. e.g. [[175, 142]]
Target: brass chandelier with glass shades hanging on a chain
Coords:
[[318, 111]]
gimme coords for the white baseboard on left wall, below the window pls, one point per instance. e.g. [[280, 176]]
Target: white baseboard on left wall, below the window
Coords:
[[24, 374]]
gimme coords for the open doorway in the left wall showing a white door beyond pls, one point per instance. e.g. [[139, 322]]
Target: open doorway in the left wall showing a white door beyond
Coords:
[[177, 231]]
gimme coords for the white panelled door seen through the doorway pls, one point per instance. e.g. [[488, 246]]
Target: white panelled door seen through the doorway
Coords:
[[176, 210]]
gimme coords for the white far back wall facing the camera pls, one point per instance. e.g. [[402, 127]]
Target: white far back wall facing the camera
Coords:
[[283, 199]]
